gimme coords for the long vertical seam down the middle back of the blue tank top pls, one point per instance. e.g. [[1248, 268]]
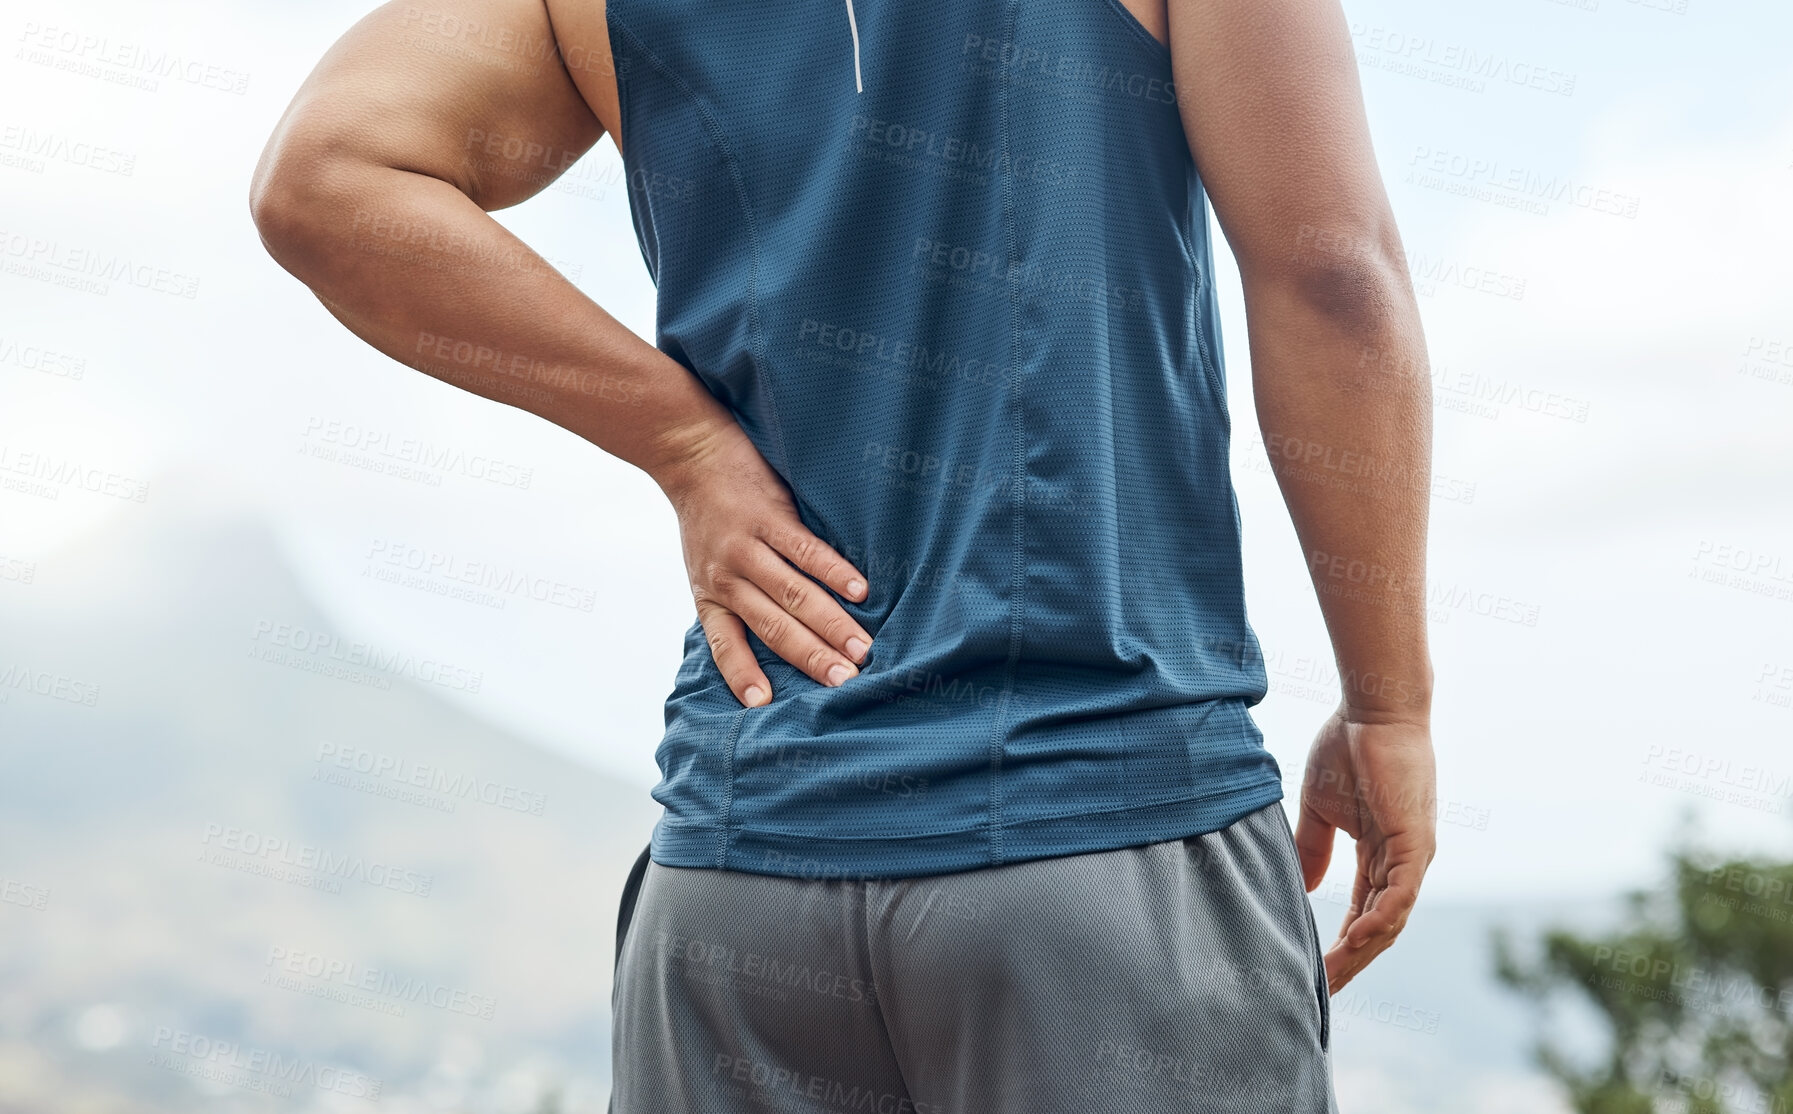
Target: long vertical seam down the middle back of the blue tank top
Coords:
[[1018, 466]]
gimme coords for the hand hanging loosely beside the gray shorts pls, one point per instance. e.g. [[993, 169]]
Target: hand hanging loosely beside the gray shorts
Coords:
[[1374, 783]]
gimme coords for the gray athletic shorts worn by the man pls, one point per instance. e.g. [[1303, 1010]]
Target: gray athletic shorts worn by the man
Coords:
[[1174, 977]]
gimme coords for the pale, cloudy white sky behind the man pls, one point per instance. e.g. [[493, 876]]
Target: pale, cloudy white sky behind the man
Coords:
[[1613, 544]]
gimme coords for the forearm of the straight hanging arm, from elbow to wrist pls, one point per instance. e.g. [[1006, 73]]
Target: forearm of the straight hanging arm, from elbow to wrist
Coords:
[[1344, 403]]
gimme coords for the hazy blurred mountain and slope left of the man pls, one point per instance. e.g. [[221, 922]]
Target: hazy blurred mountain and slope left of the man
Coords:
[[247, 866]]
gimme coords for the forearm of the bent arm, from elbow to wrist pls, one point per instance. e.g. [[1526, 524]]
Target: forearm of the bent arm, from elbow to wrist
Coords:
[[415, 268]]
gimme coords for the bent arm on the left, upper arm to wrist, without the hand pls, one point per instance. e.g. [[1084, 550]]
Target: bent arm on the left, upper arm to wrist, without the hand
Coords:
[[374, 193]]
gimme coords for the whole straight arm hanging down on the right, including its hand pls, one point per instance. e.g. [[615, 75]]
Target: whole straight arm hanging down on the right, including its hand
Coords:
[[1274, 112]]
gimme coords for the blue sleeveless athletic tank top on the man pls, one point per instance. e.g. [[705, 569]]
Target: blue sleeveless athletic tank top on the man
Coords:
[[949, 268]]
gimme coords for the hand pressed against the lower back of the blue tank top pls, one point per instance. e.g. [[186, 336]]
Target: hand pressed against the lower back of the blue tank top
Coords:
[[752, 562]]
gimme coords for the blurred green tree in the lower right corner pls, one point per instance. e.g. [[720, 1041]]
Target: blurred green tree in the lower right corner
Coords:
[[1693, 988]]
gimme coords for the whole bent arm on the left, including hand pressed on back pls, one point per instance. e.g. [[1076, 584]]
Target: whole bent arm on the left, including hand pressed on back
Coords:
[[376, 193]]
